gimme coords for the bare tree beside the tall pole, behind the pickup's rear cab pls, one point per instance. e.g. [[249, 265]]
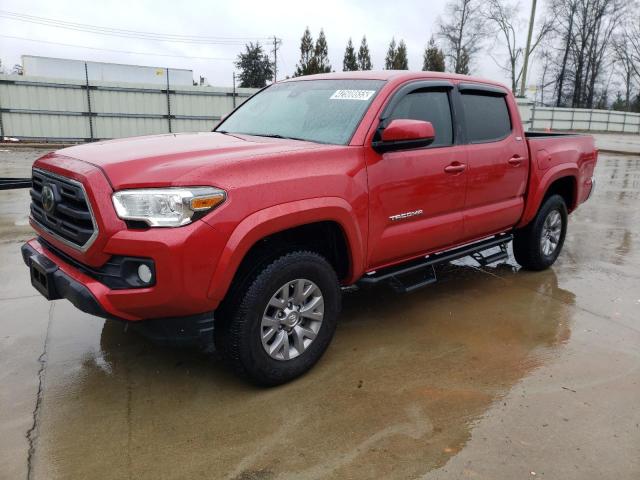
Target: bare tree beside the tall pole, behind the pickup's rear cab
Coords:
[[505, 17]]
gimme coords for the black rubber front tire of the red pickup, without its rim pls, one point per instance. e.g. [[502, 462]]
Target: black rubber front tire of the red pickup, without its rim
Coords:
[[238, 332]]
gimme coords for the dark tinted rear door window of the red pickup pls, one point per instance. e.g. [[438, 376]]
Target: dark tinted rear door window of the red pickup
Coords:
[[486, 117]]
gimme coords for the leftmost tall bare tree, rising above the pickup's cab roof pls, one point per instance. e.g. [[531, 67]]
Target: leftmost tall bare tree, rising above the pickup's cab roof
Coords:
[[463, 31]]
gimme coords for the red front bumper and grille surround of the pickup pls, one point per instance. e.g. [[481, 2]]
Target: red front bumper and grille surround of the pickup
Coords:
[[182, 260]]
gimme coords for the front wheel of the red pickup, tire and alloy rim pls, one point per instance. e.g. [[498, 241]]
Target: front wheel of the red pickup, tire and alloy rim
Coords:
[[282, 320]]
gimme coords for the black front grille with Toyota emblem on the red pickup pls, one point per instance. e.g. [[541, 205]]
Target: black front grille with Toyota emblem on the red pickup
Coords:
[[68, 217]]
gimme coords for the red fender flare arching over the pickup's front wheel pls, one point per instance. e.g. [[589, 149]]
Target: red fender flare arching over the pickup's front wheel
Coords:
[[282, 217]]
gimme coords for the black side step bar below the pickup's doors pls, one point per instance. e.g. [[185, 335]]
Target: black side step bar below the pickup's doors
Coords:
[[419, 273]]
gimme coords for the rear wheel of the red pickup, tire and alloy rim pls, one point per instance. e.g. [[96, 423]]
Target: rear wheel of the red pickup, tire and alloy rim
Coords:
[[538, 245]]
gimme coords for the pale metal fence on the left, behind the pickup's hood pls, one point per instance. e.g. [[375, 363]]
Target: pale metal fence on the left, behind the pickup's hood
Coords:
[[35, 108]]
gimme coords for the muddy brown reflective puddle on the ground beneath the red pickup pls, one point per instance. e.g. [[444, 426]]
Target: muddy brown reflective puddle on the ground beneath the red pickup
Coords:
[[404, 381]]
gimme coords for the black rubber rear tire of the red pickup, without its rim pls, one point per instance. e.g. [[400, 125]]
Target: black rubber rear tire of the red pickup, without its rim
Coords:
[[527, 242]]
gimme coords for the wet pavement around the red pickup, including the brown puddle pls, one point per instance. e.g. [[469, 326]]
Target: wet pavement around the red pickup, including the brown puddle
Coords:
[[492, 373]]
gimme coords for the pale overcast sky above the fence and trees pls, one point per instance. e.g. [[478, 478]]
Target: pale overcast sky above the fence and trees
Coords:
[[412, 20]]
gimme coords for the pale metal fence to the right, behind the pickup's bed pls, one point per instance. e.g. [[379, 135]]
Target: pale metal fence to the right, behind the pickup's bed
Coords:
[[592, 120]]
